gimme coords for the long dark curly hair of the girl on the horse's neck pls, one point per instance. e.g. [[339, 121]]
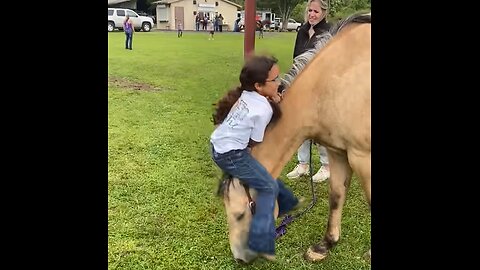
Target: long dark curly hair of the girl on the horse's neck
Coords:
[[255, 70]]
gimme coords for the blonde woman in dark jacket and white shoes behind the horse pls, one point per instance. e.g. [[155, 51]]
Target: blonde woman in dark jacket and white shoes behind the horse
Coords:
[[315, 24]]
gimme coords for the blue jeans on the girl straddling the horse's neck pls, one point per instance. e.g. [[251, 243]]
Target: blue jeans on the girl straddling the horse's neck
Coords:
[[240, 164]]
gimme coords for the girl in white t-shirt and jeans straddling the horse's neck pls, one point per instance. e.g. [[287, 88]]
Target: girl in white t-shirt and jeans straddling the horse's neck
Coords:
[[242, 116]]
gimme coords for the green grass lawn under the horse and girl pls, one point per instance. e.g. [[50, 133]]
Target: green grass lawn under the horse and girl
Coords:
[[163, 212]]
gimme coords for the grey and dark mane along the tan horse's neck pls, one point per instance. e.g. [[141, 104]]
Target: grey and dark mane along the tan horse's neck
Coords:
[[303, 59]]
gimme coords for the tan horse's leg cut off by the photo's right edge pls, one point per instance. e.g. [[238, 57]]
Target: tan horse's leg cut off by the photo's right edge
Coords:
[[361, 165]]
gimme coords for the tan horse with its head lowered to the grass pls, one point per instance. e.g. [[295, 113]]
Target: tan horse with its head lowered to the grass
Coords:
[[328, 100]]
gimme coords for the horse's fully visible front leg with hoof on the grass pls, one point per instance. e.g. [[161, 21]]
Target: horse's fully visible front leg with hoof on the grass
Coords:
[[340, 177]]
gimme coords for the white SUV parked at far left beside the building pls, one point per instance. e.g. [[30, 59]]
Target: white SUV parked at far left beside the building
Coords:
[[116, 16]]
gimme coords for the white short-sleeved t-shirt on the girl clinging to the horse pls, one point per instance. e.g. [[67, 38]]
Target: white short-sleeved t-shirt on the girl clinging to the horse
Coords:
[[247, 119]]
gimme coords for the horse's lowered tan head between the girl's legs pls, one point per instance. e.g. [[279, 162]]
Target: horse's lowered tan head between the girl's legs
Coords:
[[239, 217]]
